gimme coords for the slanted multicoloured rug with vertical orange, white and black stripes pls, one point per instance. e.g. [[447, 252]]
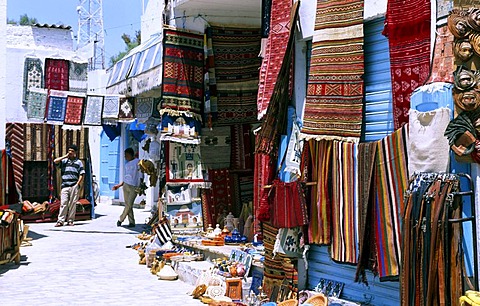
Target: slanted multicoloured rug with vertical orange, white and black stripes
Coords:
[[391, 180]]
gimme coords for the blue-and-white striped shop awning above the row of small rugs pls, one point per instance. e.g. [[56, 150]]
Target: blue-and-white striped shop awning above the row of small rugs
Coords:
[[140, 71]]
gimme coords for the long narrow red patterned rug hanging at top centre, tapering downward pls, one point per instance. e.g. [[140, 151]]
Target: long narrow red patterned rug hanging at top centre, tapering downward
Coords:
[[276, 46]]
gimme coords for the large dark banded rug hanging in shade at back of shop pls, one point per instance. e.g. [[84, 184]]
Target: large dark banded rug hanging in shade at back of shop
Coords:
[[236, 62]]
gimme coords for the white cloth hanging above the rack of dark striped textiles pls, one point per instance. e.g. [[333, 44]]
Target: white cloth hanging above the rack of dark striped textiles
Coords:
[[428, 150]]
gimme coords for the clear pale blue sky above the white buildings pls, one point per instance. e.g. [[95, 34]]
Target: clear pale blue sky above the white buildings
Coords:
[[119, 16]]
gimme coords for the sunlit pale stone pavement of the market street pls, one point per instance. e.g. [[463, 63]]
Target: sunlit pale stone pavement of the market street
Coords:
[[87, 264]]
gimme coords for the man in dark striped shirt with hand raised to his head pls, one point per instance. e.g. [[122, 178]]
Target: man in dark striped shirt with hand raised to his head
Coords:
[[72, 178]]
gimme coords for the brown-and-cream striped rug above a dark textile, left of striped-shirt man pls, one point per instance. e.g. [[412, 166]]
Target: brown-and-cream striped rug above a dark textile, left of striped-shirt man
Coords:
[[36, 140]]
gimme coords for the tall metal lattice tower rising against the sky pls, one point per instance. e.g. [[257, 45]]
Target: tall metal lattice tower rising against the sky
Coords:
[[90, 31]]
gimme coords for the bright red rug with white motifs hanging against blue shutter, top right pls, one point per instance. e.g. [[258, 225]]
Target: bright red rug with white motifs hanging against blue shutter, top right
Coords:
[[407, 26]]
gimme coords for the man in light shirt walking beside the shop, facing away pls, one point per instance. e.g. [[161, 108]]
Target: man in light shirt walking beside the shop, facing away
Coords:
[[131, 180]]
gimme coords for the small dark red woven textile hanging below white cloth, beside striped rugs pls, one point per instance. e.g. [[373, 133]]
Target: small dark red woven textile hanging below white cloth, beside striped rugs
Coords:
[[289, 207]]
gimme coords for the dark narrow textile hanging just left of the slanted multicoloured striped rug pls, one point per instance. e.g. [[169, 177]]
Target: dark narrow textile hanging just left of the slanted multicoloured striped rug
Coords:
[[367, 257]]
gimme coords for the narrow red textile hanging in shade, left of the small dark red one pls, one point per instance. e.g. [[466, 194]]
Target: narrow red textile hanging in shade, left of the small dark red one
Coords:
[[264, 171]]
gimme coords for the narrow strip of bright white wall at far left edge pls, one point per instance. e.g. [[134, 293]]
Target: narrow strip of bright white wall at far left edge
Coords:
[[3, 72]]
